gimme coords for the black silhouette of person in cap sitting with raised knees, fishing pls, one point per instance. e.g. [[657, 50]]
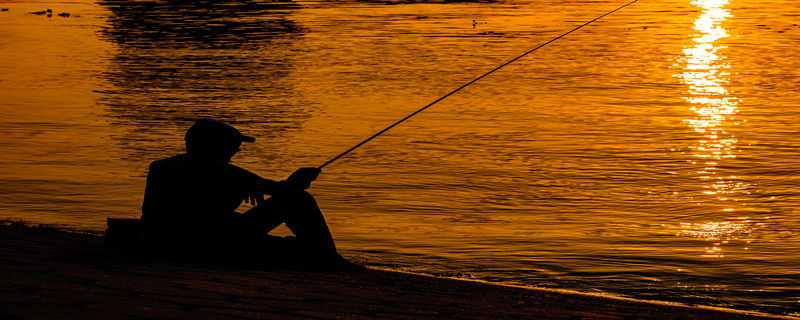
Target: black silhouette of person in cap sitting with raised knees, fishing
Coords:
[[190, 202]]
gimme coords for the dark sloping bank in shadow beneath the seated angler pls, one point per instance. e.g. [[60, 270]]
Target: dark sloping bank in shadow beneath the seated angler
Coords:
[[52, 274]]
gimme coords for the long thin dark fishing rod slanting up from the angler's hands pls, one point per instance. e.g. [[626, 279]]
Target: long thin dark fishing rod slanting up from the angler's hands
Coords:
[[454, 91]]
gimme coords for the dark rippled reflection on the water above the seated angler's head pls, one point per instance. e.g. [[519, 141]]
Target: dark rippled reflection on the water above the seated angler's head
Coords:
[[177, 61]]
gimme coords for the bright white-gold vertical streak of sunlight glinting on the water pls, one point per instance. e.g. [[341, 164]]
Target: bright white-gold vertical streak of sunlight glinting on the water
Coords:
[[705, 72]]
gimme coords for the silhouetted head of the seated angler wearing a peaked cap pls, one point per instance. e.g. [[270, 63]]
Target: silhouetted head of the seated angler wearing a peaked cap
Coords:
[[213, 140]]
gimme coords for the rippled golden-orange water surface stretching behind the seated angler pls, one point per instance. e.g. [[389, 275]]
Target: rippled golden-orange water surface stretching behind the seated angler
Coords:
[[651, 154]]
